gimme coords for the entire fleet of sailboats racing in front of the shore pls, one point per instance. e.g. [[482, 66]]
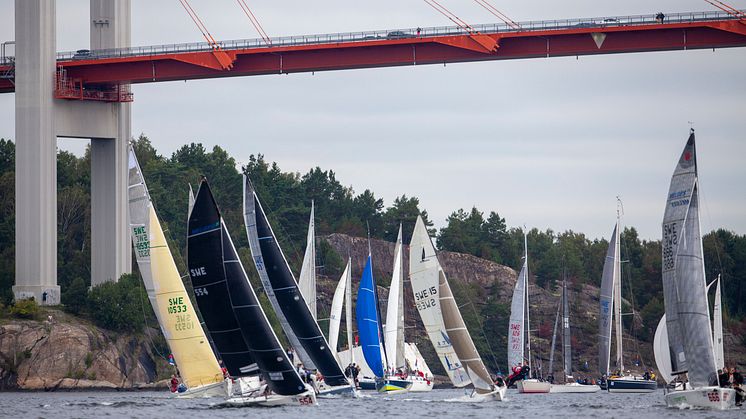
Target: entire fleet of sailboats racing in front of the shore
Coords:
[[225, 346]]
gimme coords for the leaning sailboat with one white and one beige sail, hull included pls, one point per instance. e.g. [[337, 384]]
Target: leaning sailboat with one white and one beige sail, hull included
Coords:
[[443, 321]]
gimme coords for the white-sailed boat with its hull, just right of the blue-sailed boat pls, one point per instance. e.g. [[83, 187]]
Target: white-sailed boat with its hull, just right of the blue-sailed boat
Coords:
[[394, 327]]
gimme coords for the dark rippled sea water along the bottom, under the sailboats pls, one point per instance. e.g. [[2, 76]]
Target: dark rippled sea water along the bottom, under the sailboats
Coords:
[[413, 405]]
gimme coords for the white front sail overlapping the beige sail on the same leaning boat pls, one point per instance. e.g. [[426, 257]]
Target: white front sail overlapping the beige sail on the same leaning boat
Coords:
[[424, 272]]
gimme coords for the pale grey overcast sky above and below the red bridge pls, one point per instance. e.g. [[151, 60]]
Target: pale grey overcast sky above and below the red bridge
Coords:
[[548, 143]]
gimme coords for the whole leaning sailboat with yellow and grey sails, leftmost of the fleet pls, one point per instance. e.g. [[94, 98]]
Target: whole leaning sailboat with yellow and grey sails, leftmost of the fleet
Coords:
[[199, 369]]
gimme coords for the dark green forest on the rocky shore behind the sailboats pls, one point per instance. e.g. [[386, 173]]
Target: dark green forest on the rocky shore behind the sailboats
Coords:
[[287, 197]]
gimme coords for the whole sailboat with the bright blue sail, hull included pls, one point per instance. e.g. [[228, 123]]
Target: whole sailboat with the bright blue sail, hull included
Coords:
[[367, 313]]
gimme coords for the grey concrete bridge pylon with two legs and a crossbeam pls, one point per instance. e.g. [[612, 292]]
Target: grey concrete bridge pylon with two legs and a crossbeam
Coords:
[[40, 119]]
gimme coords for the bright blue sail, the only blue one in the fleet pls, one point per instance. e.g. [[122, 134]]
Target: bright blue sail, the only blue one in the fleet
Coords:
[[367, 321]]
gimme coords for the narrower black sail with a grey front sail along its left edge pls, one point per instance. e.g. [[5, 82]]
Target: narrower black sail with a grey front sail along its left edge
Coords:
[[282, 290]]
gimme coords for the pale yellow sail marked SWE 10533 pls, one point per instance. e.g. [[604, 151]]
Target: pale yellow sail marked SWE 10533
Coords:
[[179, 322]]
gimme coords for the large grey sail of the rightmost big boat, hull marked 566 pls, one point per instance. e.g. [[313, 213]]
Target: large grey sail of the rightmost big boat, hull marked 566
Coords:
[[687, 313]]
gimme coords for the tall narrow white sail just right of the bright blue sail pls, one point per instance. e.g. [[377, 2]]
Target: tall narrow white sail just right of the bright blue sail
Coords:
[[395, 311]]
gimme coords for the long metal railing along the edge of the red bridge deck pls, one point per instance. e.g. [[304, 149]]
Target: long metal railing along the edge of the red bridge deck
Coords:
[[541, 25]]
